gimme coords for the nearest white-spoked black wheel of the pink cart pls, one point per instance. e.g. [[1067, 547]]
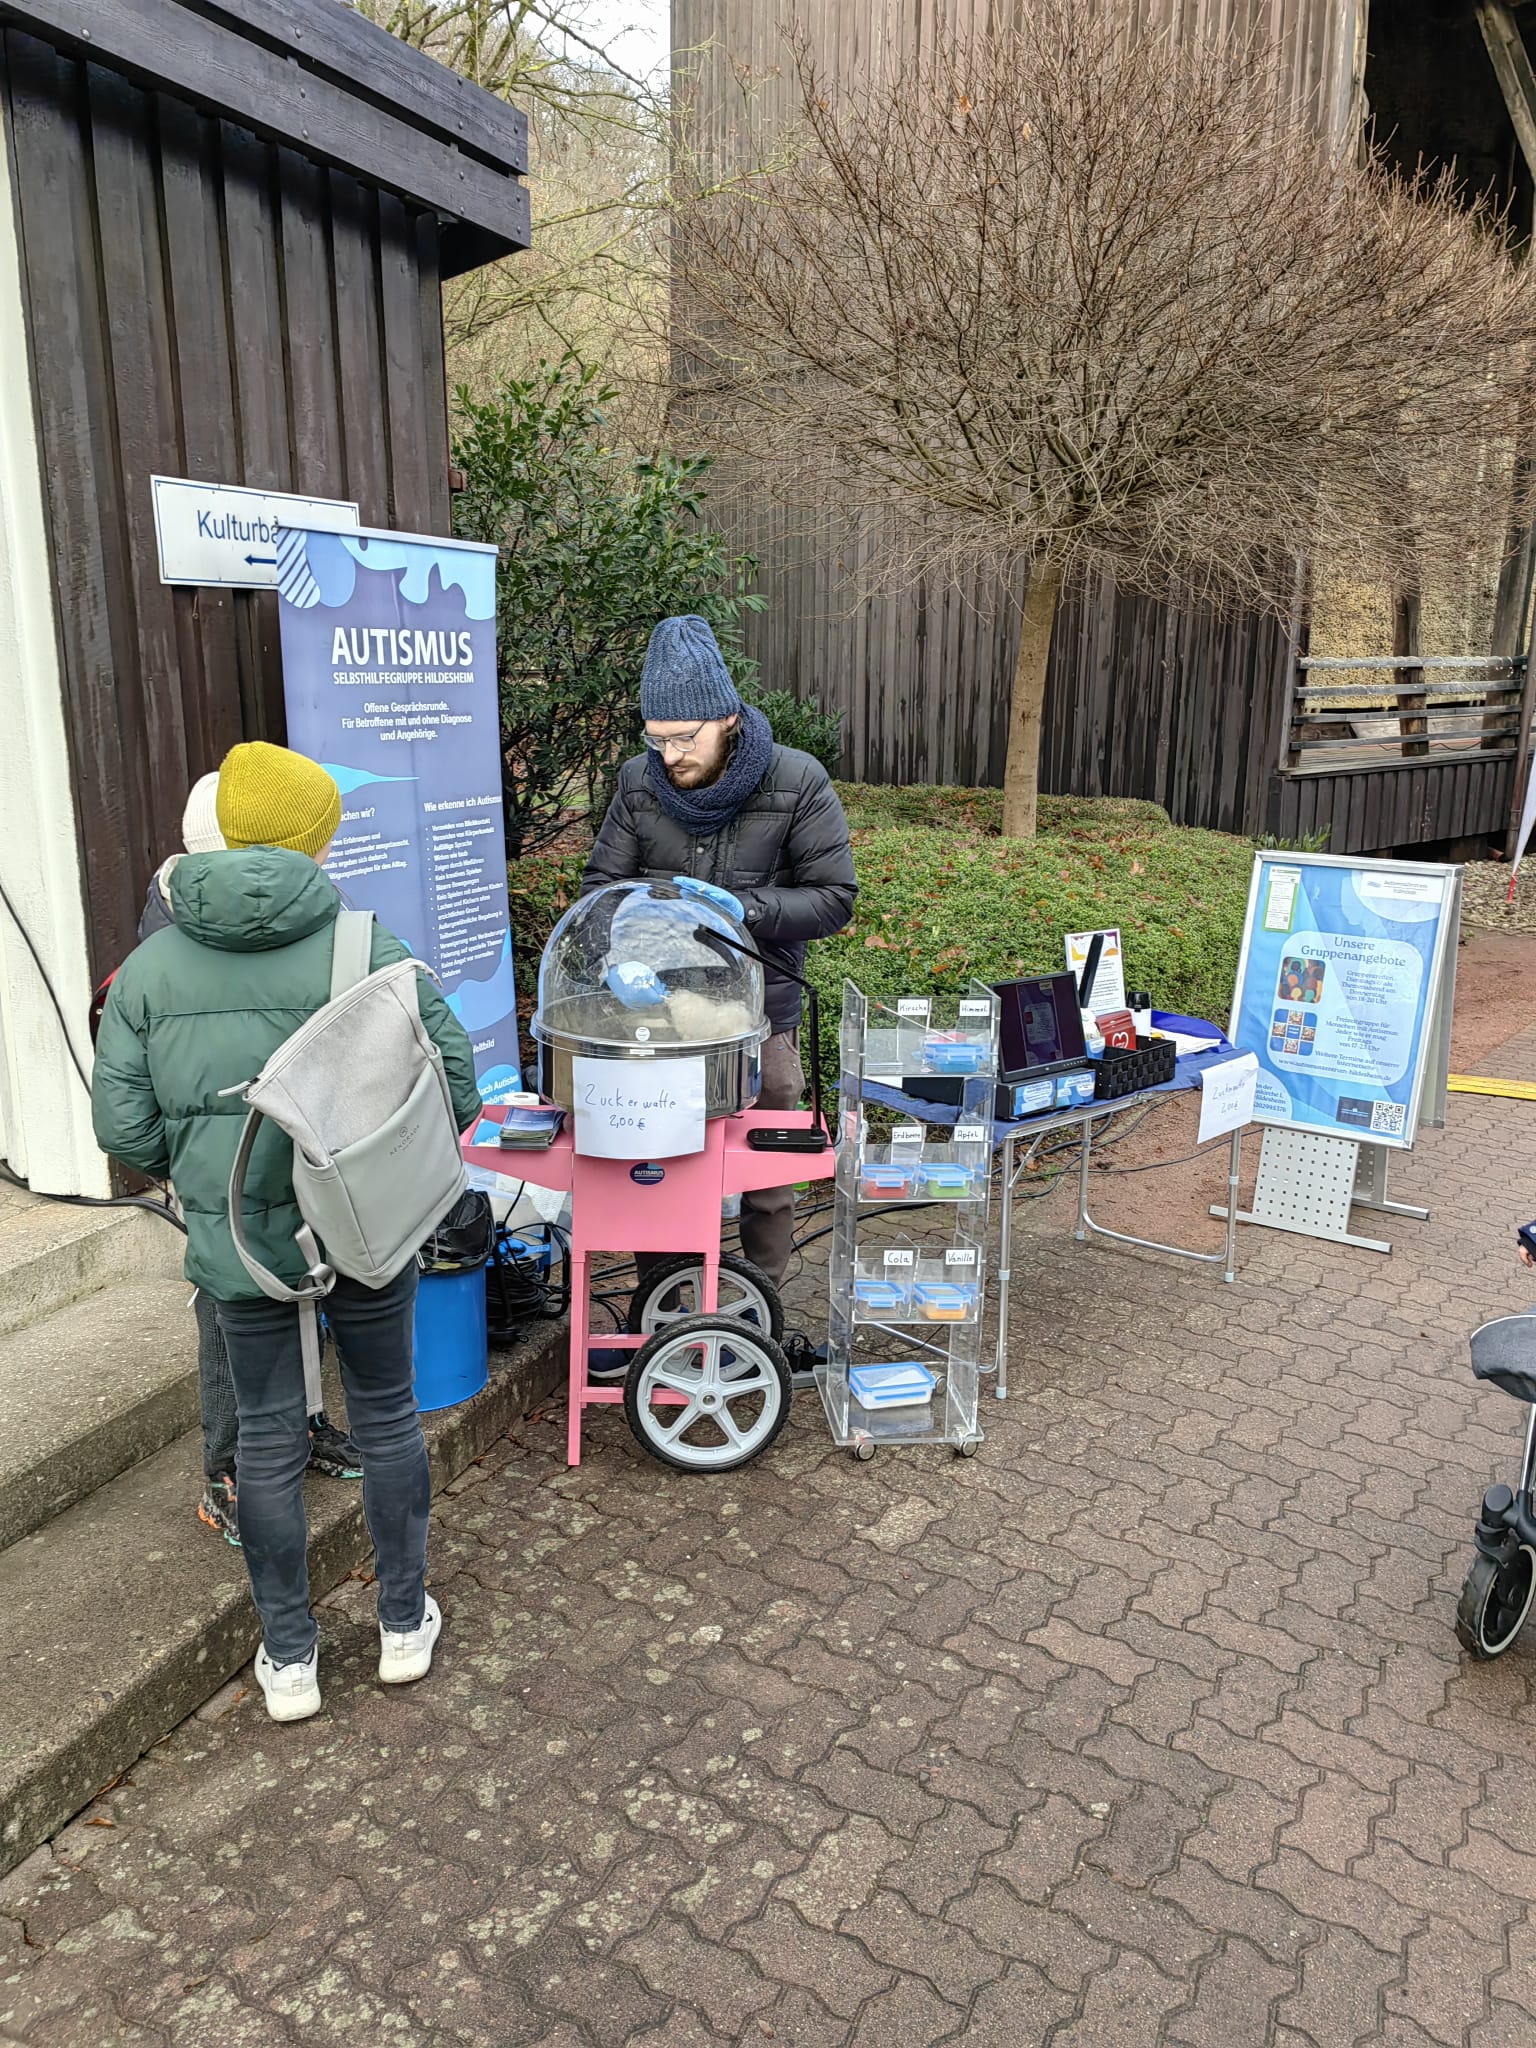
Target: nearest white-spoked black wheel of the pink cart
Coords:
[[708, 1394]]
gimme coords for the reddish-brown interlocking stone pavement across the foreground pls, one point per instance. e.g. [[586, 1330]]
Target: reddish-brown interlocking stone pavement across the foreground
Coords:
[[1144, 1727]]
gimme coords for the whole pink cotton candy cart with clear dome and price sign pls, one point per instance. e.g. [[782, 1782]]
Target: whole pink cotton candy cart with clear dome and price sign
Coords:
[[650, 1027]]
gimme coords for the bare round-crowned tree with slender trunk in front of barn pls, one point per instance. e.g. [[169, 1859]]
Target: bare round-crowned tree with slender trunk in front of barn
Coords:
[[1105, 304]]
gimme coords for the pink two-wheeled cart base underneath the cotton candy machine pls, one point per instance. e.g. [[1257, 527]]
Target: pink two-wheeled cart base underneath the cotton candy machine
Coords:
[[708, 1392]]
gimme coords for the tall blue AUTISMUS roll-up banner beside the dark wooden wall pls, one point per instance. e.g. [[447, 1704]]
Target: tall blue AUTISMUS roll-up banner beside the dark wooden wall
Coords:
[[390, 683]]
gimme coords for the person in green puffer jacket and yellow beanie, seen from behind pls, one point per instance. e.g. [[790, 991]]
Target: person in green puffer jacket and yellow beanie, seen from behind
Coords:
[[194, 1013]]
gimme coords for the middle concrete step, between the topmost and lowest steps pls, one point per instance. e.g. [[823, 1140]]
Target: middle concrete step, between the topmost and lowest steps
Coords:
[[89, 1392]]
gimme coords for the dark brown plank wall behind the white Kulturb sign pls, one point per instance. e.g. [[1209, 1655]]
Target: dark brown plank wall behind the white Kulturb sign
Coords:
[[210, 306]]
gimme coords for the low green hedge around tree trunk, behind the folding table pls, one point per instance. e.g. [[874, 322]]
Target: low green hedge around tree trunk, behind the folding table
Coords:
[[947, 902]]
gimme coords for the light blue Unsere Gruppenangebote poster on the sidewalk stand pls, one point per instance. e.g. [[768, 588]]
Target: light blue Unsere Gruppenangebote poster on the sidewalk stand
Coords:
[[1338, 986]]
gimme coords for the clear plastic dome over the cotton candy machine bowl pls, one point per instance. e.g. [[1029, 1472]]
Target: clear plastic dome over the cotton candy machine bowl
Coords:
[[644, 966]]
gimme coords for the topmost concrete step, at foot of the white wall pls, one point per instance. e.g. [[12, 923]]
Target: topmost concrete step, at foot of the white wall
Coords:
[[54, 1254]]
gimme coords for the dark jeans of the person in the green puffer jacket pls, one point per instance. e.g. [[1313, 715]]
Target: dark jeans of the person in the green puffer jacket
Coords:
[[374, 1340]]
